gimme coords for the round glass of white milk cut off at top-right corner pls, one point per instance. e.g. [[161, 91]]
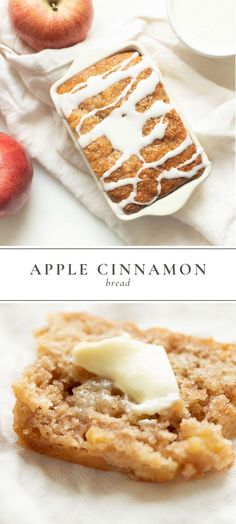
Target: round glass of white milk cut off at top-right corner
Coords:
[[206, 26]]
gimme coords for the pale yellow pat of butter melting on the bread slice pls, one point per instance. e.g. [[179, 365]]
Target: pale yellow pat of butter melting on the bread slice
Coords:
[[141, 371]]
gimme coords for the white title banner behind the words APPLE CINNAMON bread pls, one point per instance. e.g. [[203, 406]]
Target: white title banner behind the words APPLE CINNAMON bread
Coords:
[[17, 284]]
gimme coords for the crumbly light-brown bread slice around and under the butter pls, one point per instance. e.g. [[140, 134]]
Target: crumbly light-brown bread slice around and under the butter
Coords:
[[63, 411]]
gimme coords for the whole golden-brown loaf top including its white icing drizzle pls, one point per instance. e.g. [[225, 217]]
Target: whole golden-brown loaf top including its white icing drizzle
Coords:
[[132, 136]]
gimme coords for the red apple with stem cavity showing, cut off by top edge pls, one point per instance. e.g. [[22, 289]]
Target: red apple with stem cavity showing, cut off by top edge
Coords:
[[47, 24]]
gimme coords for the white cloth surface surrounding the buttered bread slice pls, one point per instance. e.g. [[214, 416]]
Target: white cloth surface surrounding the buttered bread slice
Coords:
[[35, 489]]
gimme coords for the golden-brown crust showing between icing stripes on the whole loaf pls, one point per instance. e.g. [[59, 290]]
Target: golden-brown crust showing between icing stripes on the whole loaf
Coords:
[[101, 154]]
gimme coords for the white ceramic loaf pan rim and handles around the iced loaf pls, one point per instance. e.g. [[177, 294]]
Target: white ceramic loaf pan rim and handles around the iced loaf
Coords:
[[163, 206]]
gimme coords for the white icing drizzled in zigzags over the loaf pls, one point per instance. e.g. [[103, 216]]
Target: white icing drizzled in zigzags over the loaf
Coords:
[[123, 126]]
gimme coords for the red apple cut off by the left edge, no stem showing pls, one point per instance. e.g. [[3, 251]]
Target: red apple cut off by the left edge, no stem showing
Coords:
[[16, 172]]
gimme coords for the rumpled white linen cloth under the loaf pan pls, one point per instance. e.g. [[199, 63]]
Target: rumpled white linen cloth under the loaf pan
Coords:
[[203, 88]]
